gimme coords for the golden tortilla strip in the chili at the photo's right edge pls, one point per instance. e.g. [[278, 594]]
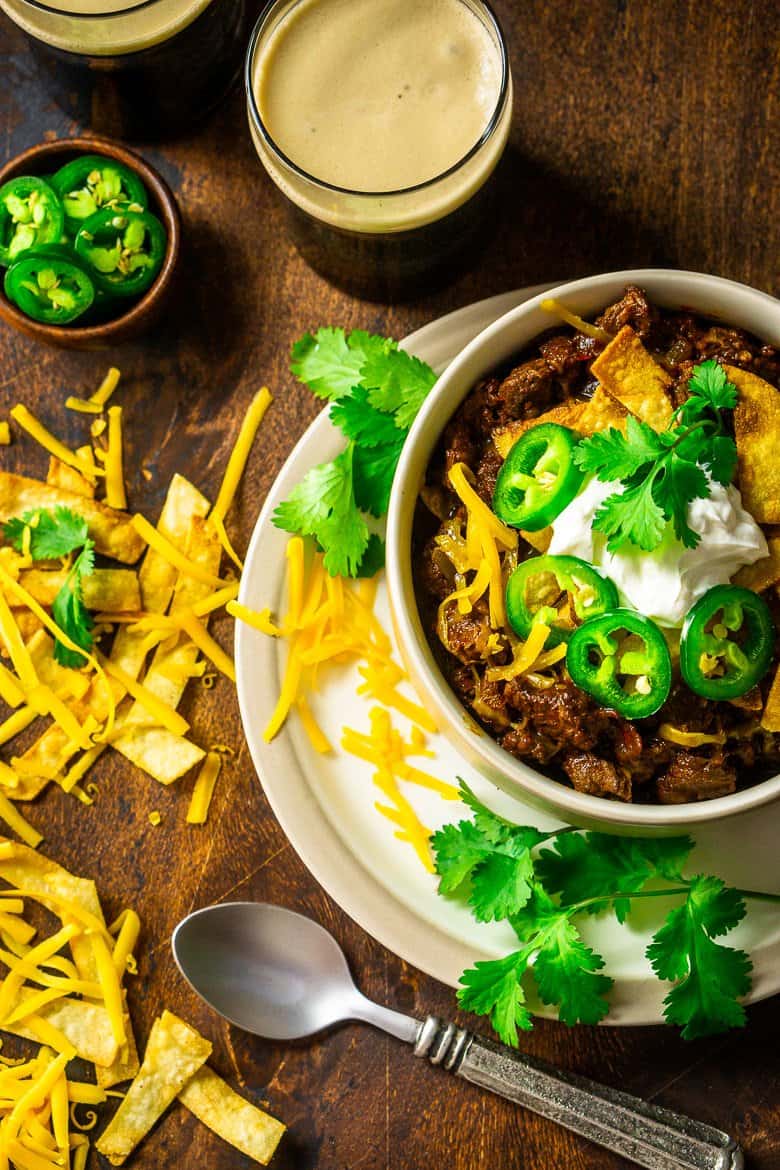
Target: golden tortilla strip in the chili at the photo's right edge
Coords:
[[757, 428]]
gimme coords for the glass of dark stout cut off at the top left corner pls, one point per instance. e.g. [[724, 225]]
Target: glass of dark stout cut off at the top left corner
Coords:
[[135, 68]]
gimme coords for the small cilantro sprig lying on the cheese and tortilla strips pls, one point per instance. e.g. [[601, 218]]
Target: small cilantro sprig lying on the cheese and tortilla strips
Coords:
[[51, 535]]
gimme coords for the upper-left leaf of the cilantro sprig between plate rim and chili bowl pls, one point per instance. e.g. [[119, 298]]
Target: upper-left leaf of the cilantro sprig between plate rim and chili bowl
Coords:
[[330, 362]]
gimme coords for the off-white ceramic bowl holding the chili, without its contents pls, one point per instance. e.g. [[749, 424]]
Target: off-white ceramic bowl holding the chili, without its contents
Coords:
[[709, 297]]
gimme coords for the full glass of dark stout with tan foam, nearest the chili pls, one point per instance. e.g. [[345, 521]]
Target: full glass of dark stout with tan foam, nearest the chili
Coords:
[[382, 122]]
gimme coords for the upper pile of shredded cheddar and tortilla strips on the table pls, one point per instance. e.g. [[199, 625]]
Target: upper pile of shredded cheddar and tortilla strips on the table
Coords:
[[127, 698]]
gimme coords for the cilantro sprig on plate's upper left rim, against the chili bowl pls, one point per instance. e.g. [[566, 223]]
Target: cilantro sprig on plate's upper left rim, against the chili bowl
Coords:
[[376, 391]]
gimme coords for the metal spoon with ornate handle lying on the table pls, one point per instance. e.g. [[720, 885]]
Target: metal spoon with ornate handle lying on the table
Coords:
[[282, 976]]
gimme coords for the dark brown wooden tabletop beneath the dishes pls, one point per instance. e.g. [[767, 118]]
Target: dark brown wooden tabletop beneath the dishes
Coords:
[[645, 134]]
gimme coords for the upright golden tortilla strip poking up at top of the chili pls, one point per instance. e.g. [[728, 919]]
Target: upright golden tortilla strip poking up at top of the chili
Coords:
[[632, 376]]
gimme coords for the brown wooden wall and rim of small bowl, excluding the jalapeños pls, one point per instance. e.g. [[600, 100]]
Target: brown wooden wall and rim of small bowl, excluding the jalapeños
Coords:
[[46, 159]]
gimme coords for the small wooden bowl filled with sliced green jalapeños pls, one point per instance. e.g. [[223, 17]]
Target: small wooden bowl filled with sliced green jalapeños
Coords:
[[137, 299]]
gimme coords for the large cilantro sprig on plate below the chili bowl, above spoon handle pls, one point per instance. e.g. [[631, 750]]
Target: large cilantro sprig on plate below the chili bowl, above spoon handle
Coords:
[[543, 883]]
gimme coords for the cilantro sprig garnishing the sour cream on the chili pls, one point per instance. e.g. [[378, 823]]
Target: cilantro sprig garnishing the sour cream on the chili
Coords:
[[664, 472]]
